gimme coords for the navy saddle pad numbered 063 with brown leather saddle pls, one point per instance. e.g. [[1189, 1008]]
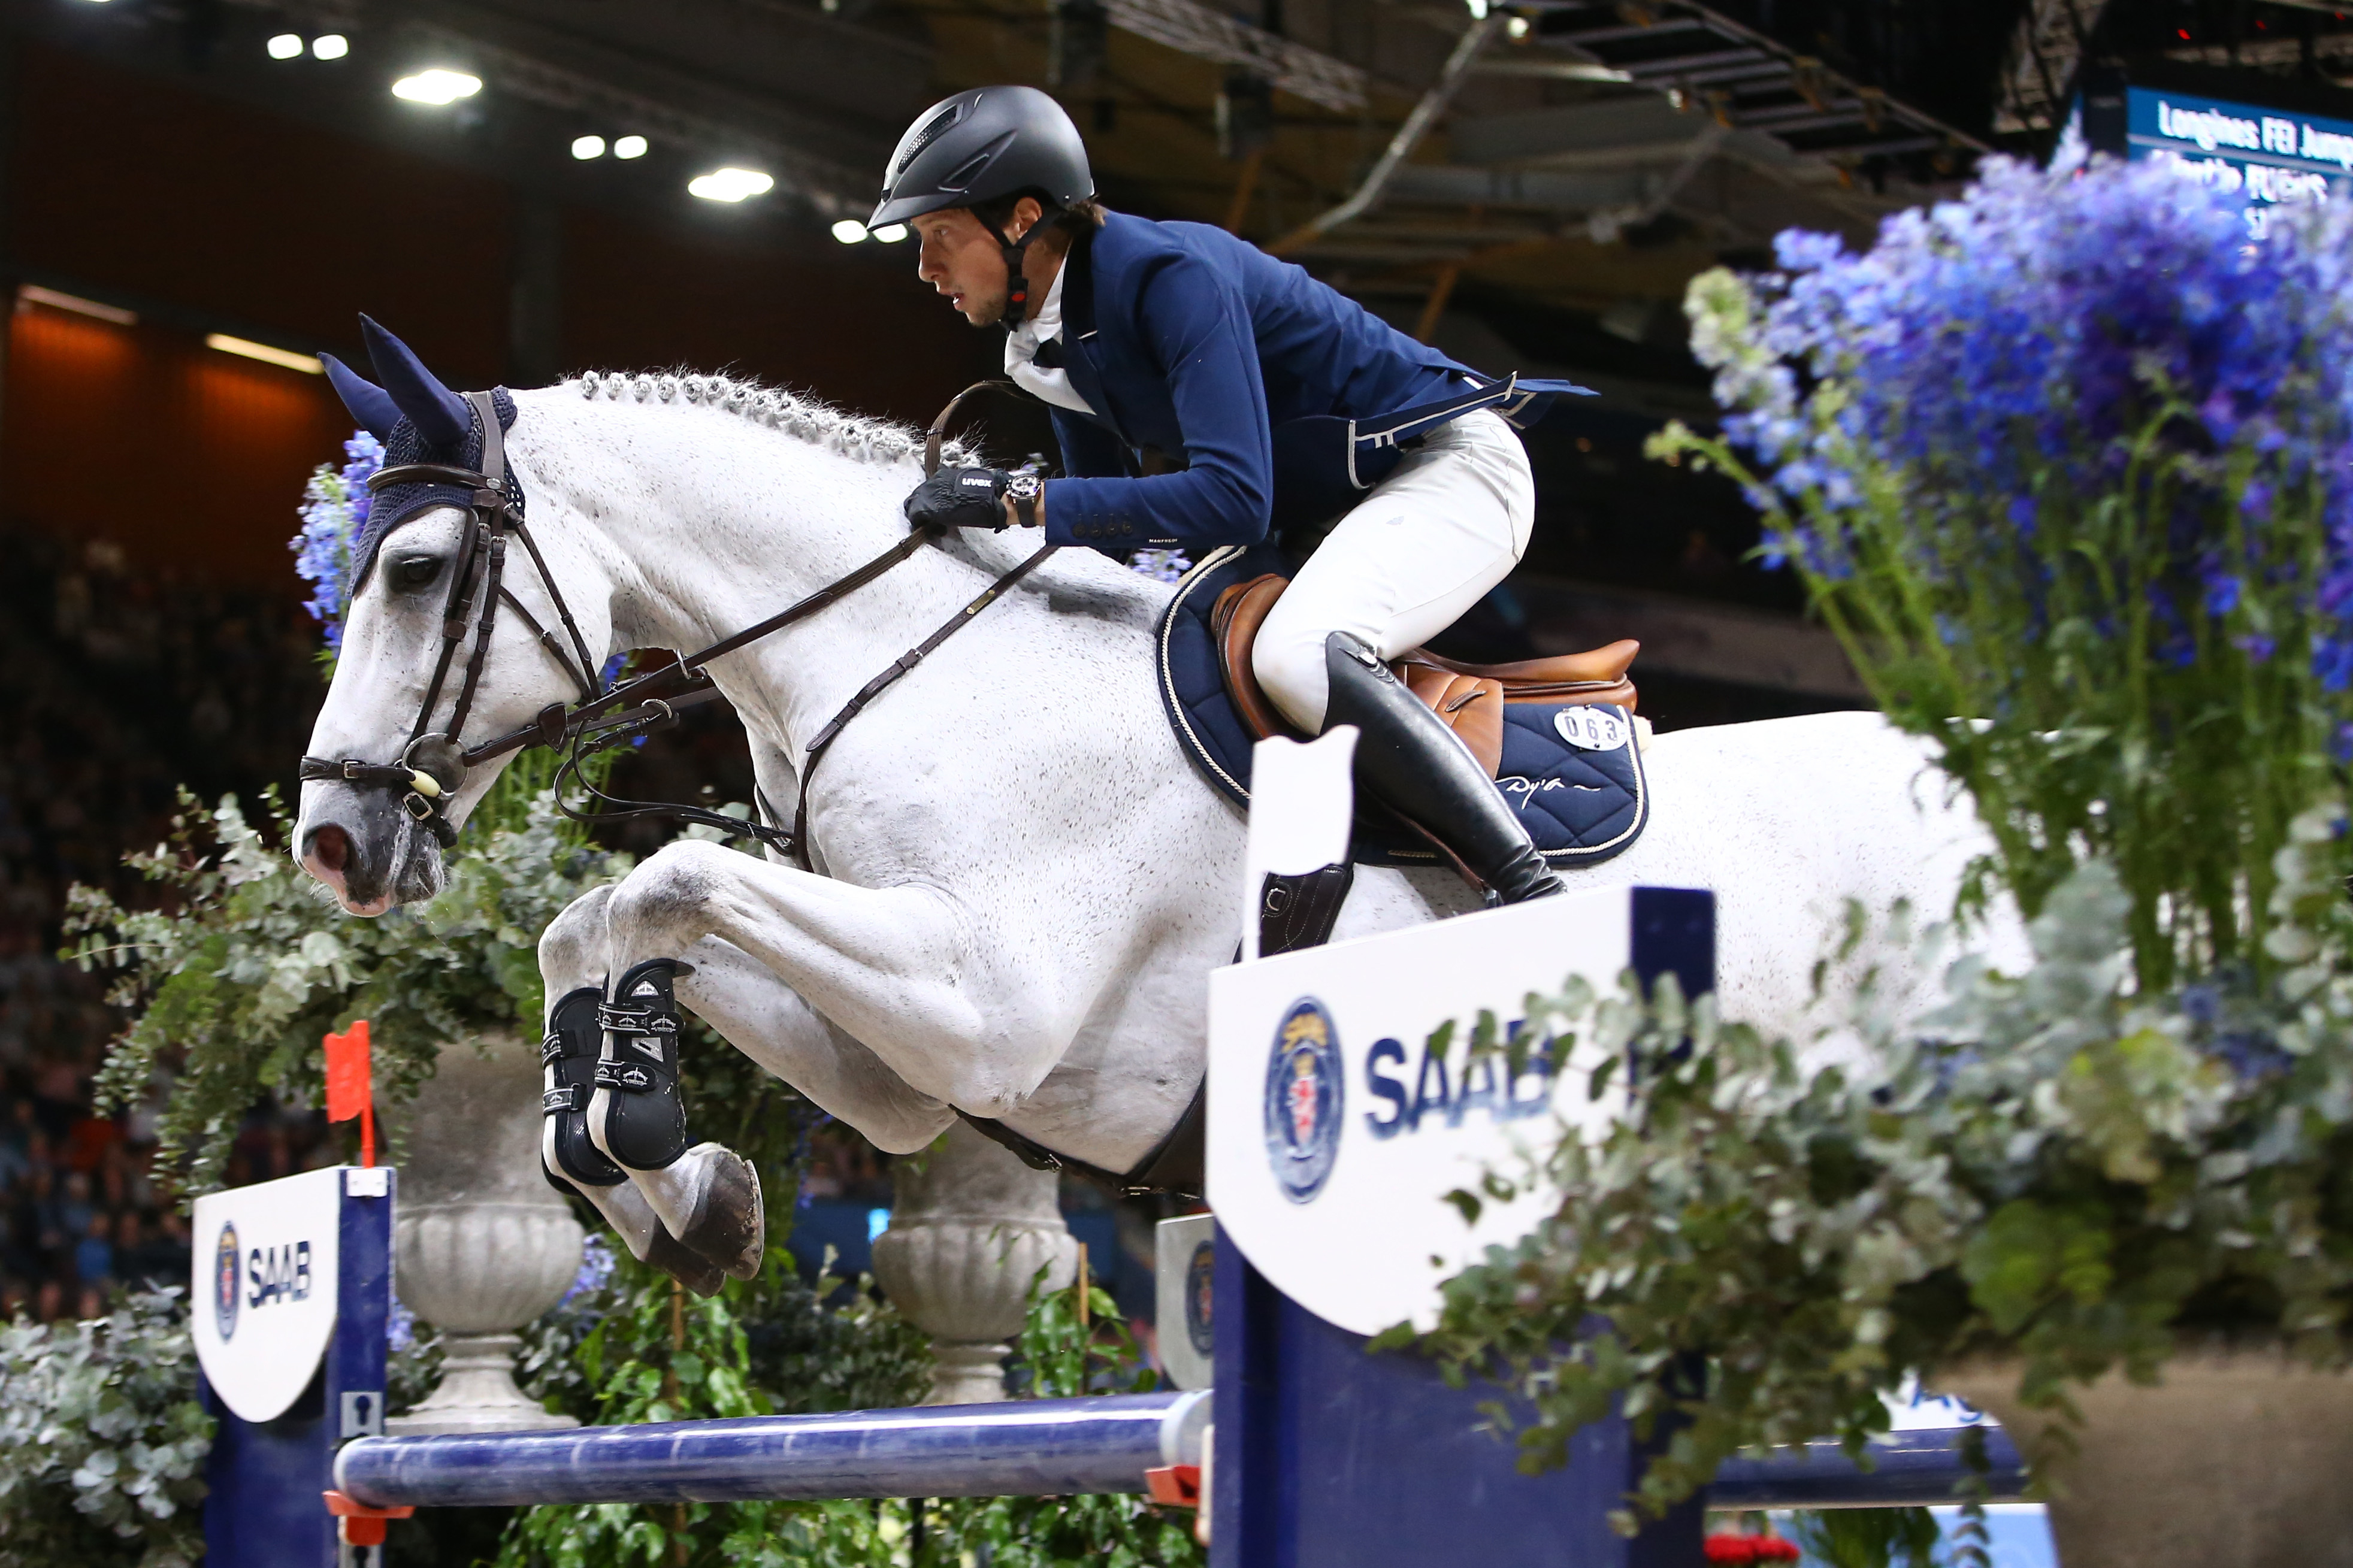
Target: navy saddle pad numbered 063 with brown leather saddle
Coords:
[[1559, 736]]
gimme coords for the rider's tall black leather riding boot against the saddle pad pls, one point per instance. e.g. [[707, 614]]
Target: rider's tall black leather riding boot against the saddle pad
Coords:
[[1413, 764]]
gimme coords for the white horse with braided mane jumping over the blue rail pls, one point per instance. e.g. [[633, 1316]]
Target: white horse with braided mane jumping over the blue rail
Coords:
[[1022, 886]]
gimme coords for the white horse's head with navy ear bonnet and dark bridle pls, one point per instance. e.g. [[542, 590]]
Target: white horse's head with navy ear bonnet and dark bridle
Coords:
[[422, 571]]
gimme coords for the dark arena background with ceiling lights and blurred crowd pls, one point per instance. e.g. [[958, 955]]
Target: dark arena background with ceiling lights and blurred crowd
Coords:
[[199, 197]]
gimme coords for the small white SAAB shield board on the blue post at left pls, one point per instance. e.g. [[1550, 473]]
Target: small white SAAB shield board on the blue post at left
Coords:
[[265, 1277]]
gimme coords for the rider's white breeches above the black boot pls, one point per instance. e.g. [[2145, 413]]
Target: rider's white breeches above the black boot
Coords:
[[1406, 564]]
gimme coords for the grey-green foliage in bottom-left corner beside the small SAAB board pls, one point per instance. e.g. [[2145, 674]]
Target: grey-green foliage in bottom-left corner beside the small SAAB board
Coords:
[[102, 1444]]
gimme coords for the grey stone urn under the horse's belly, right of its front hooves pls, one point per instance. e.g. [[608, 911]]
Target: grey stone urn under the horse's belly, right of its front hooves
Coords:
[[971, 1228]]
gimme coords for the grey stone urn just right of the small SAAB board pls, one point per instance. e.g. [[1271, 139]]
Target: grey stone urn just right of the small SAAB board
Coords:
[[481, 1244]]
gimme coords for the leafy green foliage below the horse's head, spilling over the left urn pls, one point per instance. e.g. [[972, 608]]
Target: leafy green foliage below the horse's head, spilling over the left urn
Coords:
[[251, 964]]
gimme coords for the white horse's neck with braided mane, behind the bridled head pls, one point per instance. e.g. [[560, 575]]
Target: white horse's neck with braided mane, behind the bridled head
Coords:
[[707, 524]]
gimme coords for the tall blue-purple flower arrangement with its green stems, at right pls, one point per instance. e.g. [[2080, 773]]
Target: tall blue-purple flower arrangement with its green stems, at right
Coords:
[[2069, 467]]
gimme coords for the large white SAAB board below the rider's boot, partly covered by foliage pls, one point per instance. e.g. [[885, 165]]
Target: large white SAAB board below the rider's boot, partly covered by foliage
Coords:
[[1335, 1134]]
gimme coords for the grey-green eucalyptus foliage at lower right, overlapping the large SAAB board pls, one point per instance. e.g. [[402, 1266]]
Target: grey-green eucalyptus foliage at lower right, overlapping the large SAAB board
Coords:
[[2053, 1167]]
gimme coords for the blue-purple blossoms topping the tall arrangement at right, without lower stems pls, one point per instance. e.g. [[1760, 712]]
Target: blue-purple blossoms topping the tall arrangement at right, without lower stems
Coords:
[[2055, 338]]
